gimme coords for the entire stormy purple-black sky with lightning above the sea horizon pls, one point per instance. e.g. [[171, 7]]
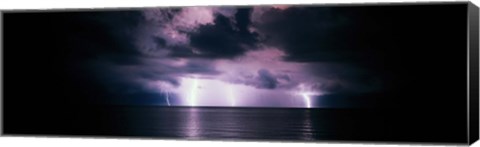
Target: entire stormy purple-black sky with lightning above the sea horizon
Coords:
[[267, 56]]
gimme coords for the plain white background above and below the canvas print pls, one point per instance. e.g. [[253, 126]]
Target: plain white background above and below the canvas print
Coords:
[[90, 142]]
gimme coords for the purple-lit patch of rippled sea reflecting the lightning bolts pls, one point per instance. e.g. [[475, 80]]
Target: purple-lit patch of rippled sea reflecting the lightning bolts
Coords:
[[208, 123]]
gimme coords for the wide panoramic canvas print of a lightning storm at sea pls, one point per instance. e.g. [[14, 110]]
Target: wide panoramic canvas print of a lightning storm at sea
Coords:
[[376, 72]]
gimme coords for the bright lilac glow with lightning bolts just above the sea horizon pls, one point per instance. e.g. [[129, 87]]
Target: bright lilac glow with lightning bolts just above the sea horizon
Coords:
[[210, 92]]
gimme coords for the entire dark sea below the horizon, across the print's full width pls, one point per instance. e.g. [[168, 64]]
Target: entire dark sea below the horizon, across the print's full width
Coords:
[[243, 124]]
